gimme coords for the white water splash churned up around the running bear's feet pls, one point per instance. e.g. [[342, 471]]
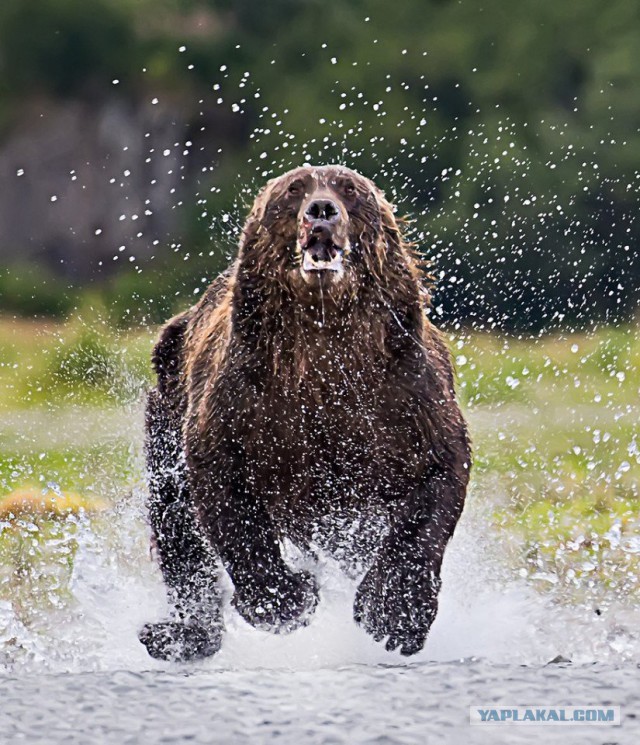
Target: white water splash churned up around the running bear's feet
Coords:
[[483, 614]]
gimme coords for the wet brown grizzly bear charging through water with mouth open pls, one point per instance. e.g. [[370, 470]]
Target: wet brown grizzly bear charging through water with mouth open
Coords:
[[306, 397]]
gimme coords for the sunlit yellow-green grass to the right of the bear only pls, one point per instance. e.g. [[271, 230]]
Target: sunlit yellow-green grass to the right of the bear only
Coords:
[[554, 422]]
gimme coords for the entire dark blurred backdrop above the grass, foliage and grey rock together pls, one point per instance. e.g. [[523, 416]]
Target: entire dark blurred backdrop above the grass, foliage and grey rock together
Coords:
[[133, 135]]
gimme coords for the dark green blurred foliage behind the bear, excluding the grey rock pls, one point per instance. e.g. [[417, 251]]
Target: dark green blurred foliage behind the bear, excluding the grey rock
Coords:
[[511, 137]]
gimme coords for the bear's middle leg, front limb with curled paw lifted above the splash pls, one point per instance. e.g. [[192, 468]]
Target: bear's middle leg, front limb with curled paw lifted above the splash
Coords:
[[268, 594]]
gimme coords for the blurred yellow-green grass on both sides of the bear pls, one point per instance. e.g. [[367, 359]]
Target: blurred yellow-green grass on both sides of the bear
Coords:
[[553, 421]]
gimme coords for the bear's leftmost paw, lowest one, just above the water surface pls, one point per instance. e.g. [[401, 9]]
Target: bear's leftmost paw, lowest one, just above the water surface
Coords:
[[180, 641]]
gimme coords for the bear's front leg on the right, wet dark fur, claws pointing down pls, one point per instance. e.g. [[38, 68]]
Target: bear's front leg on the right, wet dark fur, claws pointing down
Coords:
[[398, 597]]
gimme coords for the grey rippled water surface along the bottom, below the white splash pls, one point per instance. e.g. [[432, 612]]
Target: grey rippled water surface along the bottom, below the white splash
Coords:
[[417, 703]]
